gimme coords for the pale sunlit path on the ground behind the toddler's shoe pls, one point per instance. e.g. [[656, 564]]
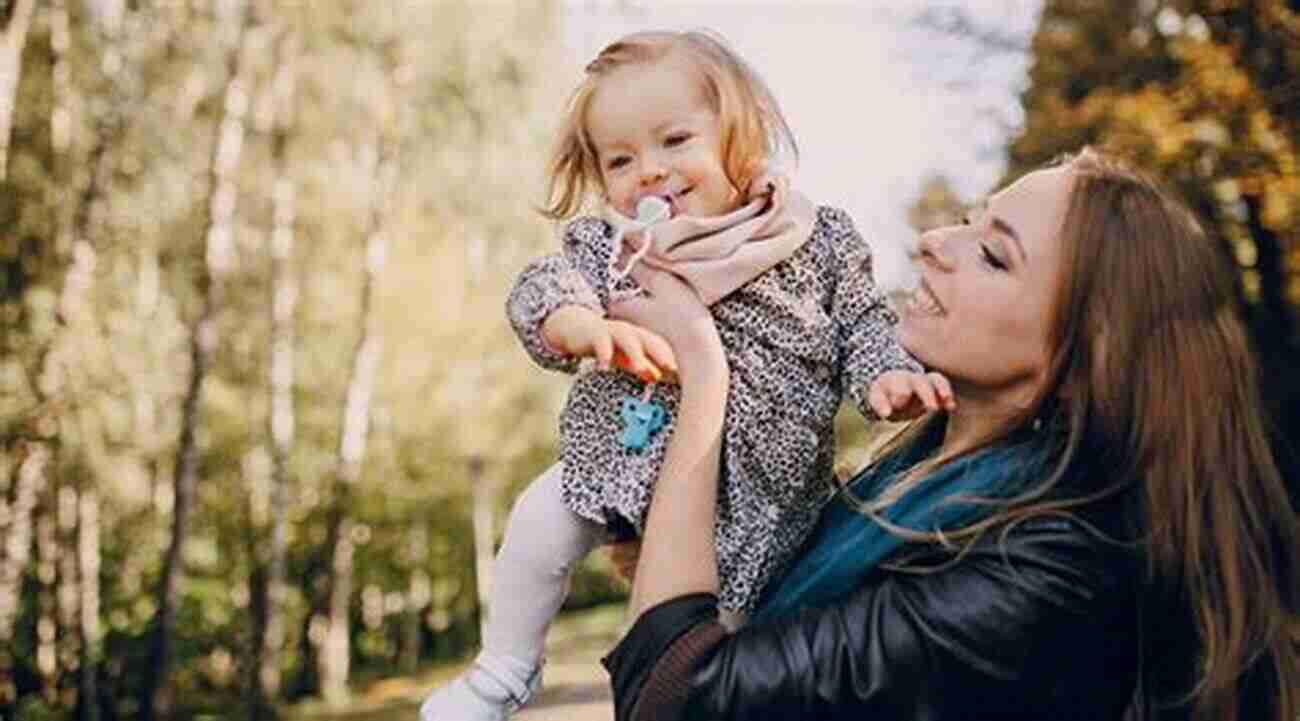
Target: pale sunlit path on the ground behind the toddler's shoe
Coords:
[[577, 685]]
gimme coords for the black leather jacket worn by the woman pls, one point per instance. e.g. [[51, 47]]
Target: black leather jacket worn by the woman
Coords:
[[1035, 623]]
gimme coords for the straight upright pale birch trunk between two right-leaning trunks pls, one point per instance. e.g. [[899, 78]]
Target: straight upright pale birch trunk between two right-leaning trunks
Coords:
[[270, 624]]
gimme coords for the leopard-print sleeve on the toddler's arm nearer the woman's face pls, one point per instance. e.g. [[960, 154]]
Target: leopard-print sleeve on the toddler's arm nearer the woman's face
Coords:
[[865, 324]]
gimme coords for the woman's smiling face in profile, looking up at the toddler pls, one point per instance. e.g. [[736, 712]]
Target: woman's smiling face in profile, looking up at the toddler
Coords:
[[985, 306]]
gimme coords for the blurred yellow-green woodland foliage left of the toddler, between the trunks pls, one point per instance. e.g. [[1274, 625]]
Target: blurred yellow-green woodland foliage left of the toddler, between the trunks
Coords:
[[462, 94]]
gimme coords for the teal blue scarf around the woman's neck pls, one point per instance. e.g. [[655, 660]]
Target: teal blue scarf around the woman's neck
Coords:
[[848, 545]]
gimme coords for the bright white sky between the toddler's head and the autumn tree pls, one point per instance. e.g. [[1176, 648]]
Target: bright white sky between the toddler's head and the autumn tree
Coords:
[[864, 92]]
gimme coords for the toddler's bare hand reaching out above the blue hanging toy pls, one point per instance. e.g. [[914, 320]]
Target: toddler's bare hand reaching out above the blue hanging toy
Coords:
[[579, 332]]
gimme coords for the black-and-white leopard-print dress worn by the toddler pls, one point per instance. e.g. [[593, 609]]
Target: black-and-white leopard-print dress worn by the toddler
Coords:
[[798, 338]]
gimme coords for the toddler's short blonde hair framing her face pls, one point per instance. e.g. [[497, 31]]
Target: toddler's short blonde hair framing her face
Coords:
[[753, 131]]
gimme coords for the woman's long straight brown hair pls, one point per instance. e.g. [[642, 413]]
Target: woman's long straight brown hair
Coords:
[[1152, 363]]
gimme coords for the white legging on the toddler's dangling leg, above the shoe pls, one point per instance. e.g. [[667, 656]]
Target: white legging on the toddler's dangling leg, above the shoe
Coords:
[[531, 576]]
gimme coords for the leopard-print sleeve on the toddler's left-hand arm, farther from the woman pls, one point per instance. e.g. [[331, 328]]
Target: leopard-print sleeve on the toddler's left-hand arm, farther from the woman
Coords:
[[574, 277]]
